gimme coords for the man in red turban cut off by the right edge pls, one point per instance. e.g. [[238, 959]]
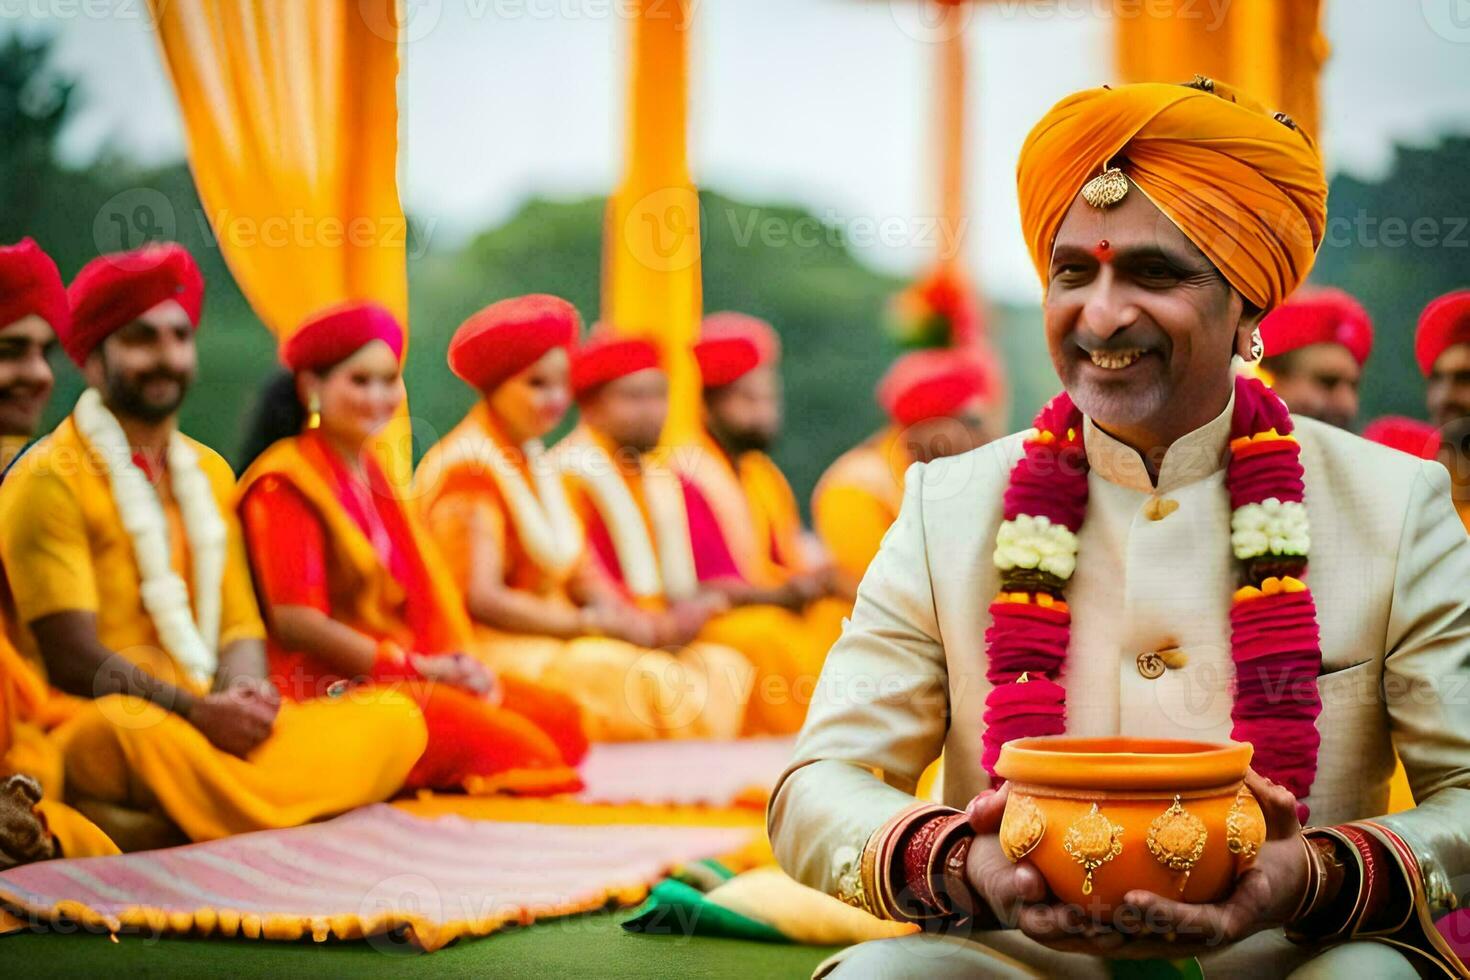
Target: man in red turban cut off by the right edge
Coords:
[[1443, 350]]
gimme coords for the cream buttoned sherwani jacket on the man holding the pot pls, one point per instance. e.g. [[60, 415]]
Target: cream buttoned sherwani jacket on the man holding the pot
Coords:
[[1391, 578]]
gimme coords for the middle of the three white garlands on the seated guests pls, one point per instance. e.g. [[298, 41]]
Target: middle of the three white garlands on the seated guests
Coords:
[[545, 519]]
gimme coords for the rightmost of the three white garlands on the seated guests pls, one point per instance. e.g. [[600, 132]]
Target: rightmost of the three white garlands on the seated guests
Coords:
[[673, 572]]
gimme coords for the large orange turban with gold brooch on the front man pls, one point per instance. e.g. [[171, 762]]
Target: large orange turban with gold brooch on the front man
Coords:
[[1246, 187]]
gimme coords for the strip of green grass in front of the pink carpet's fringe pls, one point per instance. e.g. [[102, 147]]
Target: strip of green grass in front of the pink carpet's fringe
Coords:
[[583, 945]]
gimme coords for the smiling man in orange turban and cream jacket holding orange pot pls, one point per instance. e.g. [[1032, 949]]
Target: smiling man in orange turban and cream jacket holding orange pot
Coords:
[[1134, 569]]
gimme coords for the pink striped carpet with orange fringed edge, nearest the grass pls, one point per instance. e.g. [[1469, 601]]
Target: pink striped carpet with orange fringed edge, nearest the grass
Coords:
[[367, 873]]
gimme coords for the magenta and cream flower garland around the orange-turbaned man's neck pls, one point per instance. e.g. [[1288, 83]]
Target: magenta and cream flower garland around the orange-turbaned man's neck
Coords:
[[1274, 621]]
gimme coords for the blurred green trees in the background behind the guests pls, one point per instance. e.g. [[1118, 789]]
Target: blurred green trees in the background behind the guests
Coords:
[[777, 262]]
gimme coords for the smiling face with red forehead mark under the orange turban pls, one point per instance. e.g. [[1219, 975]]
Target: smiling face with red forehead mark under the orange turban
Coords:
[[1141, 327]]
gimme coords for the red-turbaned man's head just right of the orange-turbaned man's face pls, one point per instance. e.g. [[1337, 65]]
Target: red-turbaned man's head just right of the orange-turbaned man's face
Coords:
[[1316, 347]]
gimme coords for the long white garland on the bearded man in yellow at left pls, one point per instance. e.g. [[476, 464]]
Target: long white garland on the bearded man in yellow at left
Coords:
[[195, 646]]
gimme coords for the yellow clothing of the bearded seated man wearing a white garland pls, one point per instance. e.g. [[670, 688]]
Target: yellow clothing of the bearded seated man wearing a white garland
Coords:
[[64, 549]]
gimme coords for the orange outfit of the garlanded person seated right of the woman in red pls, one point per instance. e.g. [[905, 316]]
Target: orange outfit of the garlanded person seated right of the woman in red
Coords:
[[627, 693]]
